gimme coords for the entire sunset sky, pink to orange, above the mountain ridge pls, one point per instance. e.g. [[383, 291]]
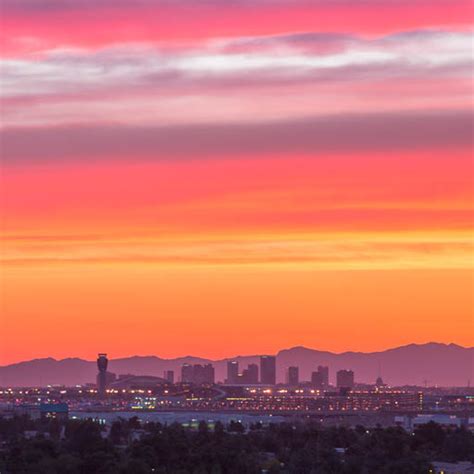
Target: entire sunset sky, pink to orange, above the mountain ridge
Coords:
[[219, 178]]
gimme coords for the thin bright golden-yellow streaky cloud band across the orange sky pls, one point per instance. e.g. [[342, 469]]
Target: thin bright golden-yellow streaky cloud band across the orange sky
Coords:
[[314, 250]]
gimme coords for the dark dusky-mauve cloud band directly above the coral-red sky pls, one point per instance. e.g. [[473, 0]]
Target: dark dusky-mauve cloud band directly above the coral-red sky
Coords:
[[351, 133]]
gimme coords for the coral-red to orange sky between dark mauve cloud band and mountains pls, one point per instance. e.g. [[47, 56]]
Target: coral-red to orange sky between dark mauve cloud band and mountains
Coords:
[[241, 256]]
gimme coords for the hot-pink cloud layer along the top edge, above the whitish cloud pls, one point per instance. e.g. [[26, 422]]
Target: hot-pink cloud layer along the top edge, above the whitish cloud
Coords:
[[53, 23]]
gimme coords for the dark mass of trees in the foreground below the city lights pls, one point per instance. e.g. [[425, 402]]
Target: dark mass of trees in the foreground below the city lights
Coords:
[[83, 447]]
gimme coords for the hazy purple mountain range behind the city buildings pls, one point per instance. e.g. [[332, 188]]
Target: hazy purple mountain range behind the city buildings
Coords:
[[437, 364]]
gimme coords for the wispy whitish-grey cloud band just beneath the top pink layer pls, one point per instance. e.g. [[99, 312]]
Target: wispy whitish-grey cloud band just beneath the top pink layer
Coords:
[[299, 57]]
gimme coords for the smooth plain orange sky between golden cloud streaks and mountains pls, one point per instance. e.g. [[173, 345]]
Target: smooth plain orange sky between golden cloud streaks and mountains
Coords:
[[216, 310]]
